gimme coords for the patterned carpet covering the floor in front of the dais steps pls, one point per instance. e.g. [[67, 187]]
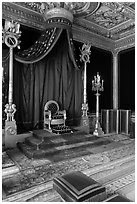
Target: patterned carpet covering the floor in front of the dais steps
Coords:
[[33, 181]]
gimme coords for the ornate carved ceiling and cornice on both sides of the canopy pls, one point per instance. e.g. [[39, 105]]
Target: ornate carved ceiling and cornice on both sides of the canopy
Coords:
[[107, 25]]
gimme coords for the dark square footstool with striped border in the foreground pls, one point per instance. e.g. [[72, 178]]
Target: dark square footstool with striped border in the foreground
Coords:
[[77, 187]]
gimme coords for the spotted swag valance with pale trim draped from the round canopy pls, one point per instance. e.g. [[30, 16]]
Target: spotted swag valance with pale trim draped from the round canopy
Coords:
[[47, 41]]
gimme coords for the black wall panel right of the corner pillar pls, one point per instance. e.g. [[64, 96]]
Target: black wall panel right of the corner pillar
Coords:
[[127, 79]]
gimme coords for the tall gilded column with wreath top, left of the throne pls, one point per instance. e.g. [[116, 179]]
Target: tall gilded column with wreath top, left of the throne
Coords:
[[10, 35]]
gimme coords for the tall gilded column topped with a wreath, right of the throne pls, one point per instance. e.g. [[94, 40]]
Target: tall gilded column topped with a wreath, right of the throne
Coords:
[[85, 52]]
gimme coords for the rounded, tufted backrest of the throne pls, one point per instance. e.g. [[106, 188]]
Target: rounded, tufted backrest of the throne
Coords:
[[52, 106]]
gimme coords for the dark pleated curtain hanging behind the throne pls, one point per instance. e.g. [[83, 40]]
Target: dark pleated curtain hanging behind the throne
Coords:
[[54, 77]]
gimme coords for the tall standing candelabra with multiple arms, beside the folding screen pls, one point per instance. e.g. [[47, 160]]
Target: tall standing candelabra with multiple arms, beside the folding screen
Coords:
[[97, 86]]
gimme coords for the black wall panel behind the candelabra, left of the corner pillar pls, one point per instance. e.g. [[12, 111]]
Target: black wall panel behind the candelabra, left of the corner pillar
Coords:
[[100, 61]]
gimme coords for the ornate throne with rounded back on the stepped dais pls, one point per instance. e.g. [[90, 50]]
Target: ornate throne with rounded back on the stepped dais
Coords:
[[52, 115]]
